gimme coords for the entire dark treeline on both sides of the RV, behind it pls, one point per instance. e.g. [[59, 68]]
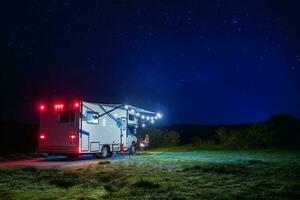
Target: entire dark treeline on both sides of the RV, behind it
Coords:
[[281, 130]]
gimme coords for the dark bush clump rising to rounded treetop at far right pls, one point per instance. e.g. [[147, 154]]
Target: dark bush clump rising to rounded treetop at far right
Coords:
[[281, 130]]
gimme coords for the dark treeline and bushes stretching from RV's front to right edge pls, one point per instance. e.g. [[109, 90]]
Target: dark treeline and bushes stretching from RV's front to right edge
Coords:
[[281, 130]]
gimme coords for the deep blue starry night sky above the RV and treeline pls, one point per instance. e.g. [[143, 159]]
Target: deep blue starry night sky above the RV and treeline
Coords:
[[206, 62]]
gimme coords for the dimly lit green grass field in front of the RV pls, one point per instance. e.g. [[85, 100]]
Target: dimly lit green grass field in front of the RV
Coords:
[[173, 173]]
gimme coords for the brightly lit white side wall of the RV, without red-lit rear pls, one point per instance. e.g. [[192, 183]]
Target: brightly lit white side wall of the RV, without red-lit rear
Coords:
[[105, 130]]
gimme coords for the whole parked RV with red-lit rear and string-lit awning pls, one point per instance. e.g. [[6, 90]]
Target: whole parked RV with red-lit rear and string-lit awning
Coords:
[[82, 127]]
